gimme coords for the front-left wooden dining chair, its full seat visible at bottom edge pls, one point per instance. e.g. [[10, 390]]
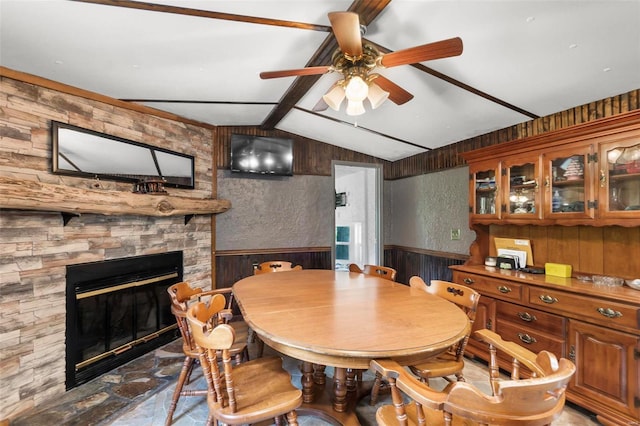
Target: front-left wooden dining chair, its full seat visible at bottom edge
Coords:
[[251, 392]]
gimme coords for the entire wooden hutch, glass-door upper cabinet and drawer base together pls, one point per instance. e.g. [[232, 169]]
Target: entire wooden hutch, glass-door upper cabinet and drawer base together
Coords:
[[575, 195]]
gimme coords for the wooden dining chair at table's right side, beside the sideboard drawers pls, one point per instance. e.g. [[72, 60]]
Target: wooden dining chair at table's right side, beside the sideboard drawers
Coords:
[[450, 362]]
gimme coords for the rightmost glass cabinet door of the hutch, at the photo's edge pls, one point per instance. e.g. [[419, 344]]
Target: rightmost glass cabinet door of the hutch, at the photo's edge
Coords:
[[620, 178]]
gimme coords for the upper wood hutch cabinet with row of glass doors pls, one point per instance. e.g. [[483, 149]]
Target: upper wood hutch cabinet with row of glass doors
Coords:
[[584, 175]]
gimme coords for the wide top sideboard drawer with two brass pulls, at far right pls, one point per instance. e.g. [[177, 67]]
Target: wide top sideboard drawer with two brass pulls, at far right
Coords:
[[604, 312]]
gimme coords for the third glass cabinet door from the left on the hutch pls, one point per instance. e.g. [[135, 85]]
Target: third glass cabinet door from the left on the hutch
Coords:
[[568, 187]]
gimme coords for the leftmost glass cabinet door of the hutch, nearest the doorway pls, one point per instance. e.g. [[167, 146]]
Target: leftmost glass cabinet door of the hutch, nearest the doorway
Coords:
[[484, 185]]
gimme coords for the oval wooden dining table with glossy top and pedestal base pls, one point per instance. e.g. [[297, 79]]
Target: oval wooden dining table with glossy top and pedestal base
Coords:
[[345, 320]]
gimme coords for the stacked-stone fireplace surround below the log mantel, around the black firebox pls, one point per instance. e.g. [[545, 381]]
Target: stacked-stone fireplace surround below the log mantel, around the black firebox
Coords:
[[36, 248]]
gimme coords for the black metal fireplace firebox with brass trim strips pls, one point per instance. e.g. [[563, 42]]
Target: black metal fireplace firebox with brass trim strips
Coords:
[[117, 310]]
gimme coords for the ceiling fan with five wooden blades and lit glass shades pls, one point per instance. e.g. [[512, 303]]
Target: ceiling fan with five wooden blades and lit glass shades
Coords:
[[356, 60]]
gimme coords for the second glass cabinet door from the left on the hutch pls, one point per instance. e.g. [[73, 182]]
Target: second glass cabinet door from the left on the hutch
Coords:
[[522, 179]]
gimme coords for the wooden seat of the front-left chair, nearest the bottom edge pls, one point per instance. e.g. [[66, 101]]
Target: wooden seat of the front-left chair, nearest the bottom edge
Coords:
[[262, 387]]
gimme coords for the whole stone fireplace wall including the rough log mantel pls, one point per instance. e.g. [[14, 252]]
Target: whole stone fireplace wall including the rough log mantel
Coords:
[[107, 222]]
